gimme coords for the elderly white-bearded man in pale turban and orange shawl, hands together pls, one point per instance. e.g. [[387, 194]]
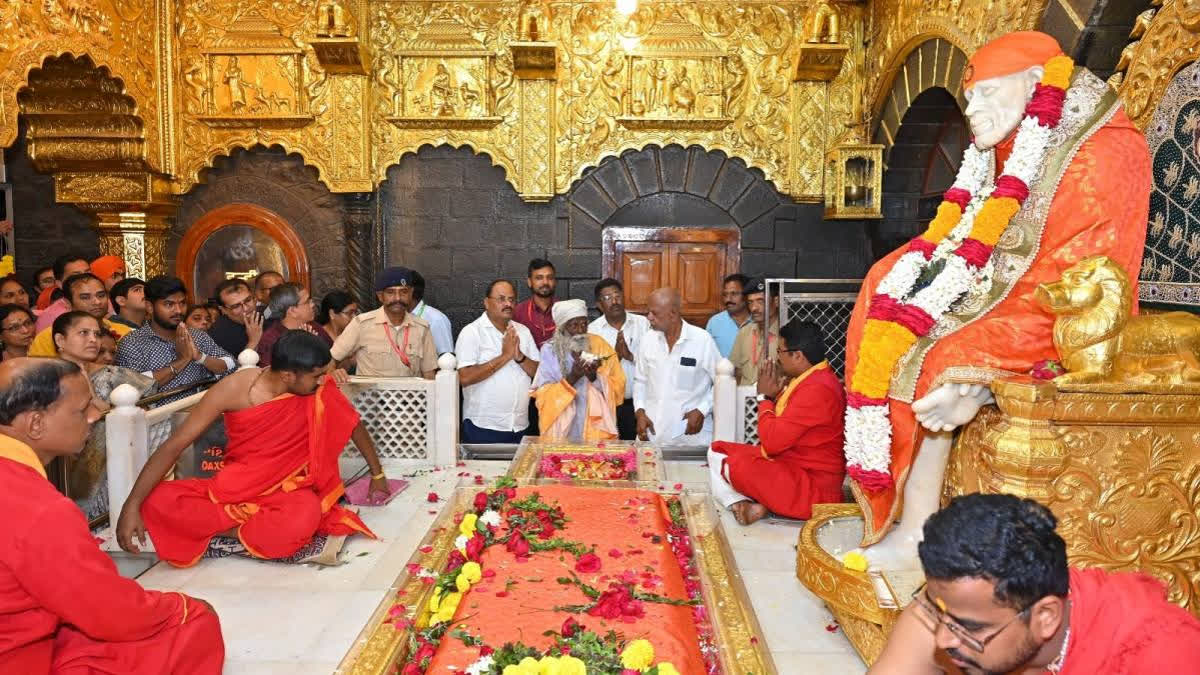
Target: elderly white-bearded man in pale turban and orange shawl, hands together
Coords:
[[579, 383]]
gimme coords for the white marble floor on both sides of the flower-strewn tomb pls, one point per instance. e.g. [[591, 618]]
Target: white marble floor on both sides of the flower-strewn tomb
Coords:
[[301, 620]]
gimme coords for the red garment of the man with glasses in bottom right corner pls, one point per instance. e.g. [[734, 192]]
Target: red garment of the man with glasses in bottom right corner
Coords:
[[1121, 623]]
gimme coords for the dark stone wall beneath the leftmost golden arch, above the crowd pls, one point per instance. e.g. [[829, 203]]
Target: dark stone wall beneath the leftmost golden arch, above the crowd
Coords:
[[44, 230]]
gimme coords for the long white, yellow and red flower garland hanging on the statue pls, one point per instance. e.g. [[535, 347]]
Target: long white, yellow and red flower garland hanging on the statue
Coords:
[[963, 236]]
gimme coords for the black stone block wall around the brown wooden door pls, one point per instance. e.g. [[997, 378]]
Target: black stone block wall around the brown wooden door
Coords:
[[451, 214]]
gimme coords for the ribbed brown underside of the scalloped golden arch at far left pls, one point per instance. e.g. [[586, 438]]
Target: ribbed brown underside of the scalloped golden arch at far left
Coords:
[[81, 118]]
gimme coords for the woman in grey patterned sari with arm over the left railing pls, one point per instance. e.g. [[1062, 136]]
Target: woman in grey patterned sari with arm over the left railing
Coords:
[[77, 337]]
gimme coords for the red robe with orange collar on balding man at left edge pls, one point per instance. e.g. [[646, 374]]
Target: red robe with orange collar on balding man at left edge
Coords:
[[64, 608]]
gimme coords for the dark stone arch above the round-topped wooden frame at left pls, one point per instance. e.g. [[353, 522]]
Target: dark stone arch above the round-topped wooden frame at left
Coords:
[[281, 183]]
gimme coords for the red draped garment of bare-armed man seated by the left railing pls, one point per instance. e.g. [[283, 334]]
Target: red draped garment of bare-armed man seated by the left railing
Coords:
[[279, 487]]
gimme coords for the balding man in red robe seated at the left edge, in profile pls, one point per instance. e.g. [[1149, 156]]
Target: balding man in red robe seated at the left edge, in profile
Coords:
[[64, 607]]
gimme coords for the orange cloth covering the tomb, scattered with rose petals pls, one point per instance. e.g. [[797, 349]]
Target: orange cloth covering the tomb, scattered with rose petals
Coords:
[[596, 517]]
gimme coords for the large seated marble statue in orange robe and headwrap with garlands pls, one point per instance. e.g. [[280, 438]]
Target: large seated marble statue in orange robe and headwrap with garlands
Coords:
[[1057, 174]]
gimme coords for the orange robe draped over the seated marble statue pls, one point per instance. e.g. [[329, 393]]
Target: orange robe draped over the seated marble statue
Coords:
[[1101, 208]]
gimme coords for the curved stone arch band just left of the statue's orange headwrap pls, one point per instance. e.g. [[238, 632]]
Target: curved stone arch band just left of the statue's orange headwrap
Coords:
[[934, 62]]
